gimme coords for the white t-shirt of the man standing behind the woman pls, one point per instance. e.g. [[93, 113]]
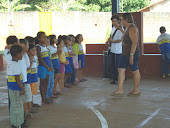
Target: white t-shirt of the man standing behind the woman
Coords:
[[116, 47]]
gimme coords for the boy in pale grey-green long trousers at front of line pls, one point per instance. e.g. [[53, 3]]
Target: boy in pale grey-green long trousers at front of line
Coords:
[[16, 88]]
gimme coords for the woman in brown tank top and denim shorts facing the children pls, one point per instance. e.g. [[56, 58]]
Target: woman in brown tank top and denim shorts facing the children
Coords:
[[130, 55]]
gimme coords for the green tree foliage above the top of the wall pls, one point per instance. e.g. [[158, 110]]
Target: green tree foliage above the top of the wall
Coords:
[[72, 5]]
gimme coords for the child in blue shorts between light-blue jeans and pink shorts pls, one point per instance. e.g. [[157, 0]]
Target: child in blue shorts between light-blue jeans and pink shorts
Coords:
[[55, 62]]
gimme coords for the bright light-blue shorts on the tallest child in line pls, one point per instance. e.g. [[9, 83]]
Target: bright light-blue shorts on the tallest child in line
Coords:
[[43, 72]]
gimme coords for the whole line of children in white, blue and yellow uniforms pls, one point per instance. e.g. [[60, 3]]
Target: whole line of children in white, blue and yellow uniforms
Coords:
[[54, 61]]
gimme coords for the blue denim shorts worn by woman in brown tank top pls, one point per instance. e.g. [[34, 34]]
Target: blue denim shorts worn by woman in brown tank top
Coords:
[[124, 62]]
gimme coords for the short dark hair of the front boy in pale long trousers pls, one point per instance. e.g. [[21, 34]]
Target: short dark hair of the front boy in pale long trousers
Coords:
[[15, 50]]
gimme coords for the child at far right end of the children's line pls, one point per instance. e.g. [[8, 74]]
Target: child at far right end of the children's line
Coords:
[[79, 39]]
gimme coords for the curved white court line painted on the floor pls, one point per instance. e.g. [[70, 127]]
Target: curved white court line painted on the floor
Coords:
[[100, 116]]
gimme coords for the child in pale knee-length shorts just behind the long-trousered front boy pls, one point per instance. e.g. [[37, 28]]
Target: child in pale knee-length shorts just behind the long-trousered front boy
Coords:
[[26, 69]]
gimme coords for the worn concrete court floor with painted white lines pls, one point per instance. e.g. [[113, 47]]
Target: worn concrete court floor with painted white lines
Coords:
[[90, 105]]
